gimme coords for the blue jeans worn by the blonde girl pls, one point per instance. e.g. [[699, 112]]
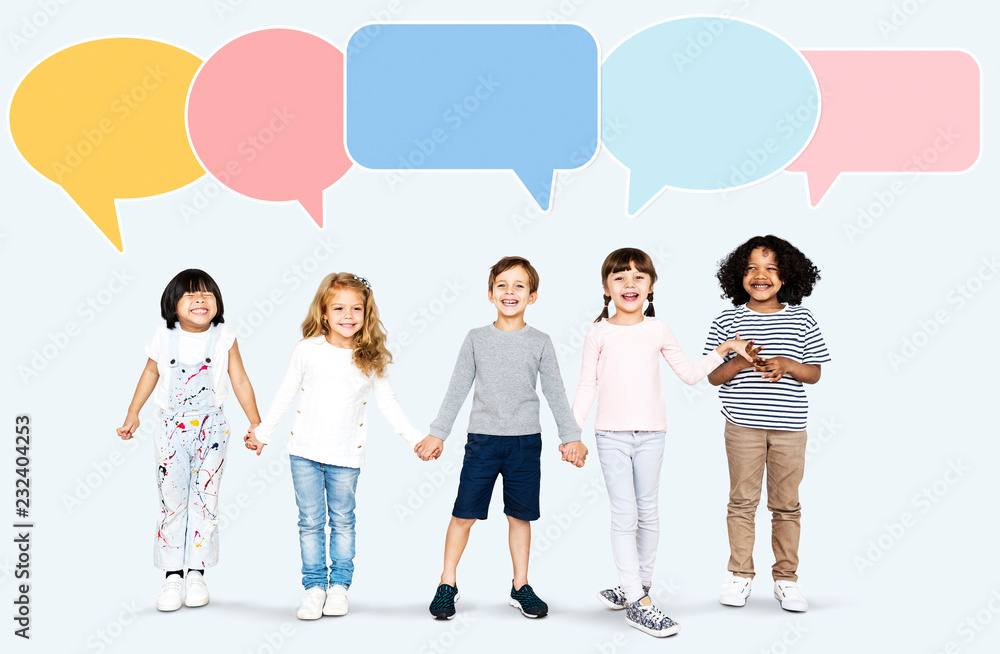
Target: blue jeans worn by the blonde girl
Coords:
[[314, 481]]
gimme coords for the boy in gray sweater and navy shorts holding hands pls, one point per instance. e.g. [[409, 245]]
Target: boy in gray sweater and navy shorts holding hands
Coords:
[[504, 359]]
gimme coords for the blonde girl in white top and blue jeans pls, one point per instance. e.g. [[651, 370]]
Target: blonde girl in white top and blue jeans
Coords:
[[341, 357]]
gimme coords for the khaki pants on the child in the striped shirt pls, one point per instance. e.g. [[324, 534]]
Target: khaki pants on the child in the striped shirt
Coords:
[[783, 453]]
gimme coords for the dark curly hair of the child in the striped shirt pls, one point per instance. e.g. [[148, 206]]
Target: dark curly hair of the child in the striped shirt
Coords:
[[797, 273]]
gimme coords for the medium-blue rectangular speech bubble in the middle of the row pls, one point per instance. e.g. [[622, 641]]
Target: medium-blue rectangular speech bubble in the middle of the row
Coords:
[[474, 97]]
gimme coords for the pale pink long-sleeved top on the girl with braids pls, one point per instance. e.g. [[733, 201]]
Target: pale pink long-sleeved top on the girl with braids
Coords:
[[621, 368]]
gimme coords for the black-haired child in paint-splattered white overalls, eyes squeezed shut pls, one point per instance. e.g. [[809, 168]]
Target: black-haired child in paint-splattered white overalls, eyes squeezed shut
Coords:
[[189, 357]]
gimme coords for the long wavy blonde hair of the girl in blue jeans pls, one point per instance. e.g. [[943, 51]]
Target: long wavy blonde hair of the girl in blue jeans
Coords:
[[371, 355]]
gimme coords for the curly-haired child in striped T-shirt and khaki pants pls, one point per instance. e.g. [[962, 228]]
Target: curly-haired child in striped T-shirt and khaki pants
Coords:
[[765, 404]]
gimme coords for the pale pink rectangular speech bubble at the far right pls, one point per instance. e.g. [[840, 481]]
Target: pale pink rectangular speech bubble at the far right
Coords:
[[891, 111]]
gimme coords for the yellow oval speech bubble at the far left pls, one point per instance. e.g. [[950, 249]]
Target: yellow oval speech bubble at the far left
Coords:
[[104, 119]]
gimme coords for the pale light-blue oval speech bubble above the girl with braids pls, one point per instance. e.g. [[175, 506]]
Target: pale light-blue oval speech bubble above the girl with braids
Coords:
[[706, 104]]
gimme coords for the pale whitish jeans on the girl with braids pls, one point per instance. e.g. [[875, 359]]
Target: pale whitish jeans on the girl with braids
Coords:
[[631, 462]]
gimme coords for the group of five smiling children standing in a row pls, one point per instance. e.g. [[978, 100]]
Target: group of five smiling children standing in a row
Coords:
[[761, 352]]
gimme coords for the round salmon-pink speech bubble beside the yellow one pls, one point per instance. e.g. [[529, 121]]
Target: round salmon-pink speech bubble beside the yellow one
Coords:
[[265, 116]]
